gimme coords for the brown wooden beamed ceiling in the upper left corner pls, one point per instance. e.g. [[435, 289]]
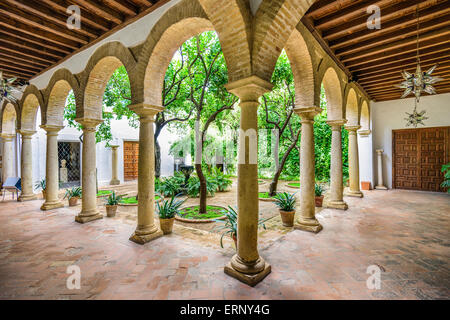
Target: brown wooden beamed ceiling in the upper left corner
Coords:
[[34, 35]]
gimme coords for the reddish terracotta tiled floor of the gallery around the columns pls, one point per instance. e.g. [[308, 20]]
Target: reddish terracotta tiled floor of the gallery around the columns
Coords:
[[407, 233]]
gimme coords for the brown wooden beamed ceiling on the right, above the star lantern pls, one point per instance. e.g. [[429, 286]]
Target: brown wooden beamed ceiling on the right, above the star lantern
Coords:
[[375, 58]]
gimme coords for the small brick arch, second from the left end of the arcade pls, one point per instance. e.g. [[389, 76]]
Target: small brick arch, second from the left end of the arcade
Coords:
[[31, 100]]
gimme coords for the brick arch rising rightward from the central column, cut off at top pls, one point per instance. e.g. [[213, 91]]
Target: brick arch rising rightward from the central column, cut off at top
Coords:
[[274, 22]]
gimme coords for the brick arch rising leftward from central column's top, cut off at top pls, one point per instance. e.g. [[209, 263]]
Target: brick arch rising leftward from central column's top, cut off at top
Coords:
[[232, 20]]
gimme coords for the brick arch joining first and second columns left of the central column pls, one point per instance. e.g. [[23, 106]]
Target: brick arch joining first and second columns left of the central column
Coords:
[[97, 73]]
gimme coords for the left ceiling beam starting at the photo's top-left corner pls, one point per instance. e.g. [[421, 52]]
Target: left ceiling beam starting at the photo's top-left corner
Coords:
[[51, 15]]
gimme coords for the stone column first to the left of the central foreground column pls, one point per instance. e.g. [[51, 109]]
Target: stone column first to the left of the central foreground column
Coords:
[[146, 229]]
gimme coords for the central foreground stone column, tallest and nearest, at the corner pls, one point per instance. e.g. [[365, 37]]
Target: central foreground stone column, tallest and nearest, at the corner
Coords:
[[246, 265]]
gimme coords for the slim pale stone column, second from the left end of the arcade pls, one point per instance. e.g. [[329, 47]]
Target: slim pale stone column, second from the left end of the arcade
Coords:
[[27, 167]]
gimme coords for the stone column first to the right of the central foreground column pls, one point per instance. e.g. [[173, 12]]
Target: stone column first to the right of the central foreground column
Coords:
[[307, 218]]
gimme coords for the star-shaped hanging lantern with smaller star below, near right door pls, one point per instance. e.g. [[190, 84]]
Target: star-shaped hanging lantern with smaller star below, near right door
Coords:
[[416, 83]]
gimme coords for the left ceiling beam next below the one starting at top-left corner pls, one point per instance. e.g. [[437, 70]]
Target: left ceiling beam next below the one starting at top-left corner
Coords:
[[33, 31]]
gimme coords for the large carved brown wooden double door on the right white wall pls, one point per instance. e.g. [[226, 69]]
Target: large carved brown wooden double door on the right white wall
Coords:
[[418, 156]]
